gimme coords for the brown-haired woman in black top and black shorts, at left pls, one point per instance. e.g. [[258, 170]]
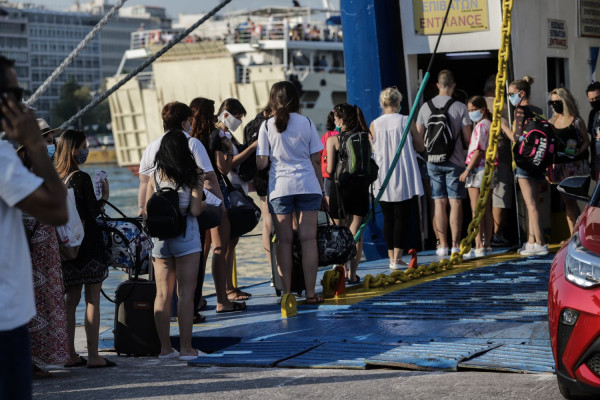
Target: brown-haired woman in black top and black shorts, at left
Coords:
[[90, 267]]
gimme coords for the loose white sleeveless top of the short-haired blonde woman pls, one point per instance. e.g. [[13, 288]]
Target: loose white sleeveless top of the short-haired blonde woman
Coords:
[[405, 181]]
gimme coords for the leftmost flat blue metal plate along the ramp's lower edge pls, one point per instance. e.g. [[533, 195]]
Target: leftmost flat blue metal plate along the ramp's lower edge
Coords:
[[258, 354]]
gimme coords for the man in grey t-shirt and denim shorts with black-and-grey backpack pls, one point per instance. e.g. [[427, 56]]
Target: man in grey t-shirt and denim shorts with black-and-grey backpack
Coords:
[[446, 128]]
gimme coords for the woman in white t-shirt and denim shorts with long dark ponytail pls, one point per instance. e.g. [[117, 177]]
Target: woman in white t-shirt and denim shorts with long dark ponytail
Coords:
[[291, 142]]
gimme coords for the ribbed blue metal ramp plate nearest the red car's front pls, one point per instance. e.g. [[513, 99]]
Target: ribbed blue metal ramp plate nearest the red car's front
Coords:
[[514, 358]]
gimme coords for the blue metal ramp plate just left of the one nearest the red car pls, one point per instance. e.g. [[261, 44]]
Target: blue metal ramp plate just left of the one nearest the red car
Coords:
[[429, 356]]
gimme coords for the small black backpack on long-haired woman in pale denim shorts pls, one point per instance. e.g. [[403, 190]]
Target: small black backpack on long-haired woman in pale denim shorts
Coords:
[[164, 218]]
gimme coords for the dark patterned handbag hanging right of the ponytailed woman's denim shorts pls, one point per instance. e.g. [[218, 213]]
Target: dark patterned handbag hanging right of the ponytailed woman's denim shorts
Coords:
[[335, 244]]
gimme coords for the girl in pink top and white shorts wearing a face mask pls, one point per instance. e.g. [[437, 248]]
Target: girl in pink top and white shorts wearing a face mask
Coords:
[[473, 174]]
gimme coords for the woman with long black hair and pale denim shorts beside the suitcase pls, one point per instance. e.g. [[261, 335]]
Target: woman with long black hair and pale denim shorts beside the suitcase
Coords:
[[177, 259]]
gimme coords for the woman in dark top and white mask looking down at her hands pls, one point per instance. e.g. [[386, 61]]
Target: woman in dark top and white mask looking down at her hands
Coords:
[[224, 150]]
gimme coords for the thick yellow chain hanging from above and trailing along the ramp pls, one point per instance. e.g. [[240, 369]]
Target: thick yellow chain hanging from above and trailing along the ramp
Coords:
[[465, 246]]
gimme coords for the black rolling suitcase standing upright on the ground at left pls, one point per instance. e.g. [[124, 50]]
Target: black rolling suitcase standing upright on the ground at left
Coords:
[[134, 330]]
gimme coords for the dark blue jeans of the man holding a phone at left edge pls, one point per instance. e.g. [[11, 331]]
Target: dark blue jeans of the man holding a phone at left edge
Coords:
[[15, 364]]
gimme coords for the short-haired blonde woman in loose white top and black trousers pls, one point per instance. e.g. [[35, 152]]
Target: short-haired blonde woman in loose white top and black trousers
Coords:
[[405, 185]]
